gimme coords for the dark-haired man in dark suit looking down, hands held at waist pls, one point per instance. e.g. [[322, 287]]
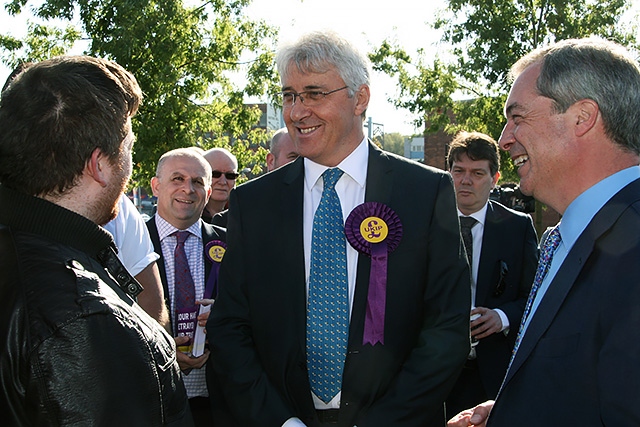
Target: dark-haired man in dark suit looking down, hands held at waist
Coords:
[[504, 255]]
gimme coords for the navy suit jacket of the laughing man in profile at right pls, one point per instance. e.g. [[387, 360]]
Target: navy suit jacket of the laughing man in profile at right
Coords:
[[577, 364]]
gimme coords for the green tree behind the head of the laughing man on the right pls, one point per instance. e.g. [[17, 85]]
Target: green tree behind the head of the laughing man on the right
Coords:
[[468, 82]]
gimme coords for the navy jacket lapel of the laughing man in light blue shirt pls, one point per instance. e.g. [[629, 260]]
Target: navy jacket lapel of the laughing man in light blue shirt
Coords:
[[570, 269]]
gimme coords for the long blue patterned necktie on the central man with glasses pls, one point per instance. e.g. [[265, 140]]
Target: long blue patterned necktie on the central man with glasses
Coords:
[[328, 306]]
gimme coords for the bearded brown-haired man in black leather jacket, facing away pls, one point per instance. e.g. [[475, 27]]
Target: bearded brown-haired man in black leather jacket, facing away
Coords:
[[76, 349]]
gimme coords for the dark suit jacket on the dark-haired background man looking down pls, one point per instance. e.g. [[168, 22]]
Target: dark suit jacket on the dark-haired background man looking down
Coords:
[[509, 240]]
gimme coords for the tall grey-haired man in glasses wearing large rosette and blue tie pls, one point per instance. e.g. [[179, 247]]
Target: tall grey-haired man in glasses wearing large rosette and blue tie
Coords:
[[418, 306]]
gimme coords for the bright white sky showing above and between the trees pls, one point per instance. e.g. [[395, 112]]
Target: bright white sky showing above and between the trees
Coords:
[[366, 23]]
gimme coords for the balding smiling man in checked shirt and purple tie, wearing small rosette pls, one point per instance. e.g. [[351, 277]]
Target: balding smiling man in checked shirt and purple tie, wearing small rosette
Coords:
[[182, 185]]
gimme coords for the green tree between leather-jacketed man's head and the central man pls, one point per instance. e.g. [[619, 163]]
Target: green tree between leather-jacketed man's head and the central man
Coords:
[[186, 59]]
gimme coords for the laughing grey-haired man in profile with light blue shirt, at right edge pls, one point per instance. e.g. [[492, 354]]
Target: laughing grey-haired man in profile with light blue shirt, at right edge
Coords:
[[573, 131]]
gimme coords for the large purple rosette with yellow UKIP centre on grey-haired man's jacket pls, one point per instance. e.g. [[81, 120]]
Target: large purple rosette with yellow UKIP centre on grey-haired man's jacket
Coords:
[[375, 230]]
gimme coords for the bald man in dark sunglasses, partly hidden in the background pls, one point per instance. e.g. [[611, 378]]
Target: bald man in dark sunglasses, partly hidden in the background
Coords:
[[225, 172]]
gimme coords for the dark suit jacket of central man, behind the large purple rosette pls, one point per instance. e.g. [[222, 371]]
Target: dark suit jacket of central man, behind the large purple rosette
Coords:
[[259, 318]]
